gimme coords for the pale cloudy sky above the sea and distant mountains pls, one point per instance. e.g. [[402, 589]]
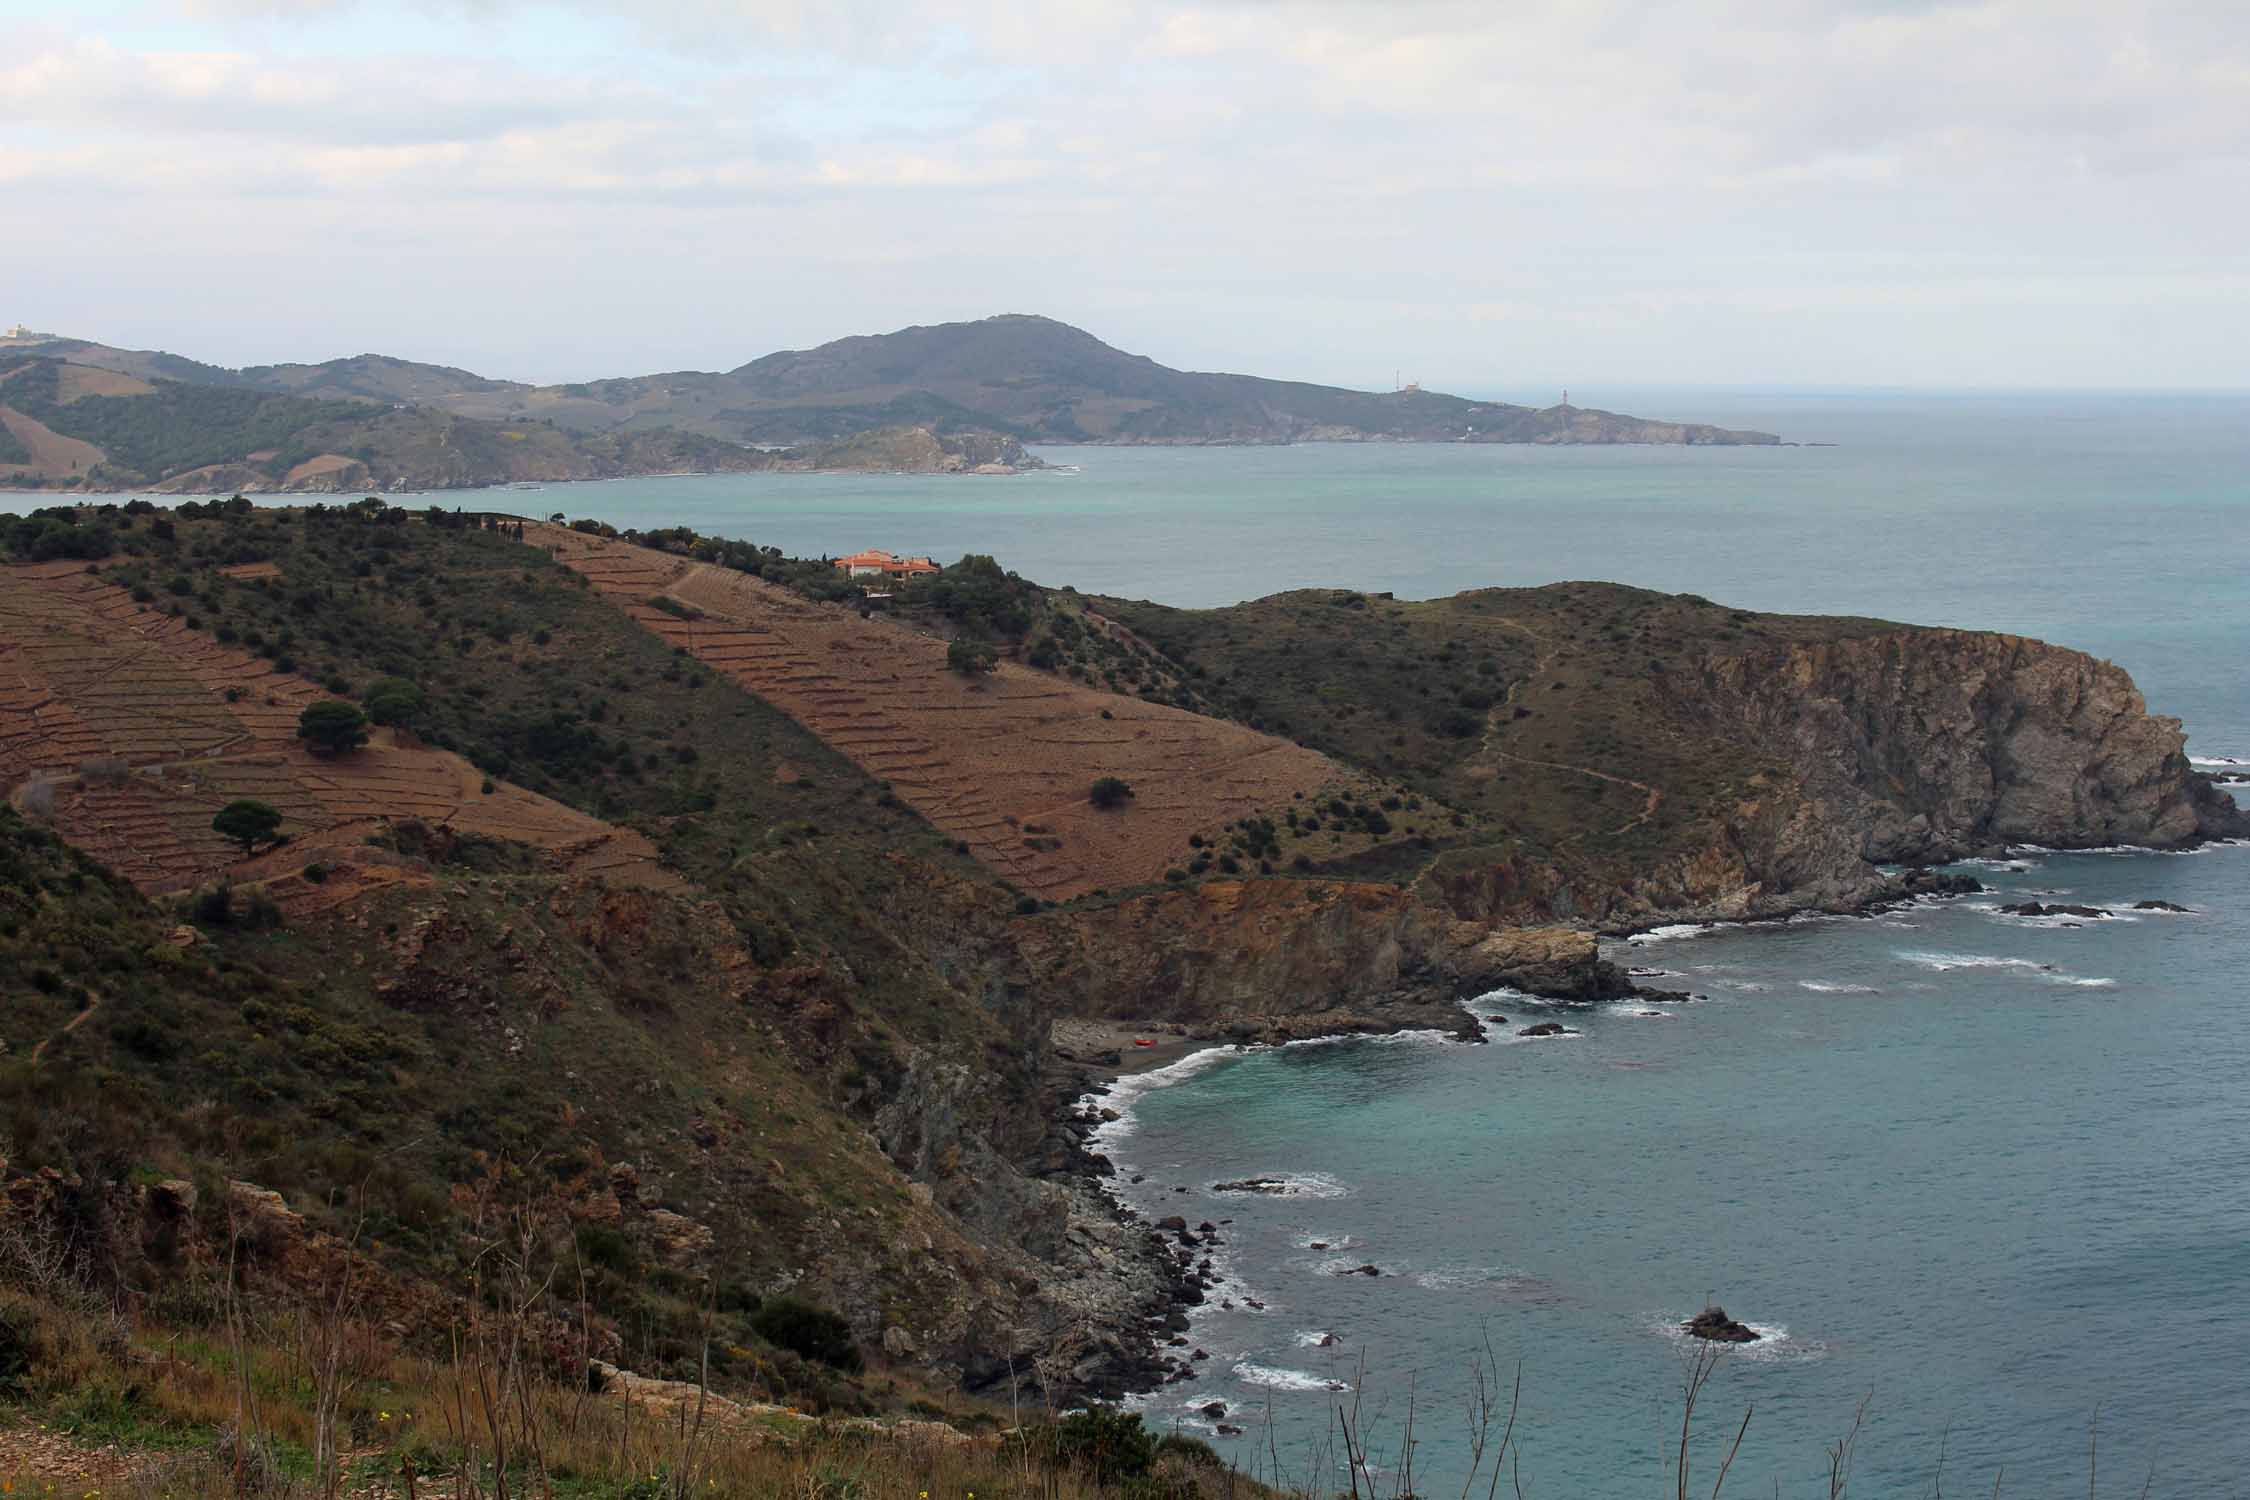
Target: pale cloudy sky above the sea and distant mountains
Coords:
[[1482, 195]]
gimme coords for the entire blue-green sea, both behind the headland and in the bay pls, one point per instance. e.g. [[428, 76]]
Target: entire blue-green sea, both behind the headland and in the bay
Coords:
[[1981, 1182]]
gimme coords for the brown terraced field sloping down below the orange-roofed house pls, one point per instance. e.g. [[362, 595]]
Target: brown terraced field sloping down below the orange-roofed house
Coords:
[[1000, 761]]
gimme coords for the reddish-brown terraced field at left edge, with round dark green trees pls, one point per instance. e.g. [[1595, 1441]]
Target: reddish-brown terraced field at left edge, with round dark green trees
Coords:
[[116, 723]]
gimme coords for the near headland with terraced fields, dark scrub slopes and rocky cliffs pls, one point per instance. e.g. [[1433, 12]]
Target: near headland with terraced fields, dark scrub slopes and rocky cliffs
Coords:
[[712, 916]]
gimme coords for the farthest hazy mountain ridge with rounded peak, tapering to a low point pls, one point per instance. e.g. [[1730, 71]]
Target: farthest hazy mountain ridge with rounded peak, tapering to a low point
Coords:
[[1023, 377]]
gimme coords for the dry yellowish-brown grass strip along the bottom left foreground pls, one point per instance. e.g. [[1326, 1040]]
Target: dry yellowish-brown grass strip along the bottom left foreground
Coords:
[[298, 1404]]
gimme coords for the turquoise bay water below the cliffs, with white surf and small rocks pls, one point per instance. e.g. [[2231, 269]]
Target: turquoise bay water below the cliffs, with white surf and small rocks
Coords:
[[1990, 1173]]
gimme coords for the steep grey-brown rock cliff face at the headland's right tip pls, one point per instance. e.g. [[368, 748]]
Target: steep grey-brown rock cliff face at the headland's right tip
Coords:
[[1929, 746]]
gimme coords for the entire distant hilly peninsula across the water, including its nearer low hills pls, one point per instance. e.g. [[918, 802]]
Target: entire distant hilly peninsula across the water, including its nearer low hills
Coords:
[[969, 397]]
